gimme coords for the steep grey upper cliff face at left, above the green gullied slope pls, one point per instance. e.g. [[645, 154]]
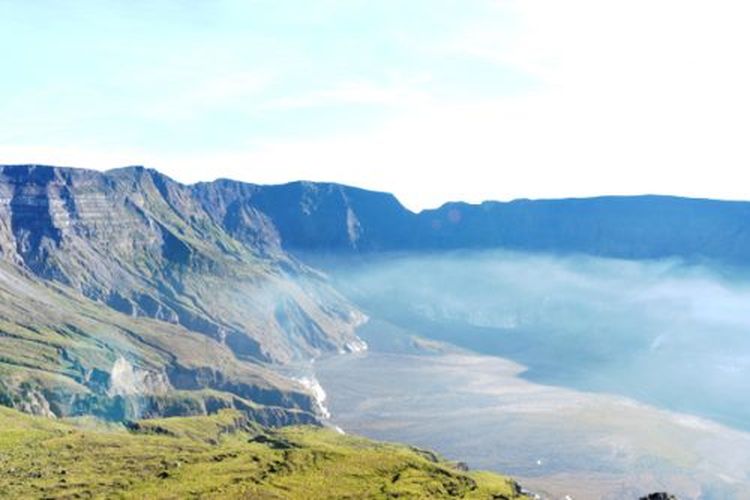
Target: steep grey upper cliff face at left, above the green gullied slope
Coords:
[[140, 243]]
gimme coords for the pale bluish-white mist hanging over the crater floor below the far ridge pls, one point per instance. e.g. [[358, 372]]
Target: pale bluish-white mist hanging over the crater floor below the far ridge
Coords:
[[667, 333]]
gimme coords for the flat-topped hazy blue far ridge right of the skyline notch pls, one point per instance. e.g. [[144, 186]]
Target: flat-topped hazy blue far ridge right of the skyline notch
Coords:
[[631, 227]]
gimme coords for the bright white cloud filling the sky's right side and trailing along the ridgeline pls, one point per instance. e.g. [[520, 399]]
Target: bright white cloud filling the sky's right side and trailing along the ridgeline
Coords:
[[637, 96]]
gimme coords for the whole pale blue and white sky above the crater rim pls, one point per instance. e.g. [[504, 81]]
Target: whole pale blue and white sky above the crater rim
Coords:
[[433, 100]]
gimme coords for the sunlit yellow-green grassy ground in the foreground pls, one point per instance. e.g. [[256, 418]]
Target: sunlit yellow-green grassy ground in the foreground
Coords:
[[220, 456]]
